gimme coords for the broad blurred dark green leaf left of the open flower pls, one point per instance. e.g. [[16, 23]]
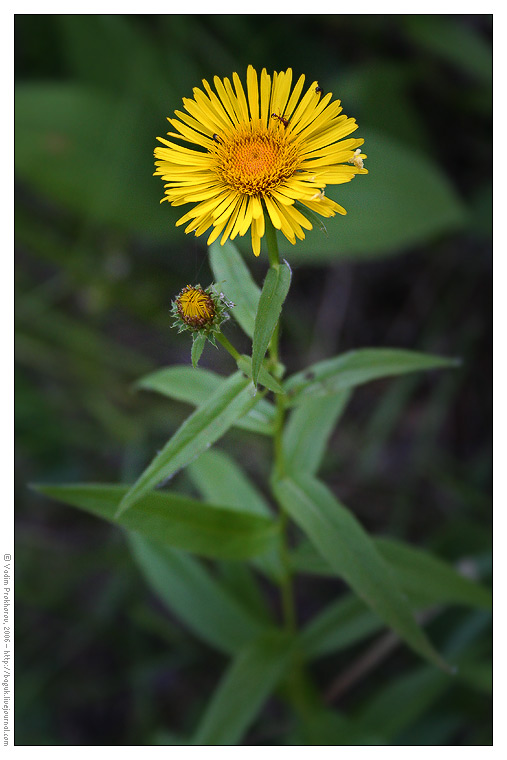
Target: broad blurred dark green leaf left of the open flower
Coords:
[[68, 149]]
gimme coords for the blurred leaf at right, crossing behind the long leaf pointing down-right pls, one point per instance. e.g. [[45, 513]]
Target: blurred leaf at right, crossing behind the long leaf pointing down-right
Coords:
[[425, 578]]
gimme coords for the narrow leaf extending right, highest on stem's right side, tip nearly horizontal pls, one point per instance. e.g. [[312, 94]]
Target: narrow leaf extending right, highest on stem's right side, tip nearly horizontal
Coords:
[[357, 367]]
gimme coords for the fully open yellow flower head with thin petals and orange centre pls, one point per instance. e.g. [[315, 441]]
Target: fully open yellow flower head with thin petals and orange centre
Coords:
[[268, 149]]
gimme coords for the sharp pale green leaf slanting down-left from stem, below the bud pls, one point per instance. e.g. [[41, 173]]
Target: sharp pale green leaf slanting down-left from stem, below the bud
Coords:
[[206, 425]]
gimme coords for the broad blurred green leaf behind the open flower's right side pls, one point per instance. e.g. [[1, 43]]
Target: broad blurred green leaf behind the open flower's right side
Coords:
[[405, 200]]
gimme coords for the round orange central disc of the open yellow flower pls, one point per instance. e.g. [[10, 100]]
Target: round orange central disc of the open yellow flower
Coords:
[[256, 160]]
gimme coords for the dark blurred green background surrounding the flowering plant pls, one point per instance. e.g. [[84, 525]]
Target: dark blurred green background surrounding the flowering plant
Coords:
[[99, 661]]
